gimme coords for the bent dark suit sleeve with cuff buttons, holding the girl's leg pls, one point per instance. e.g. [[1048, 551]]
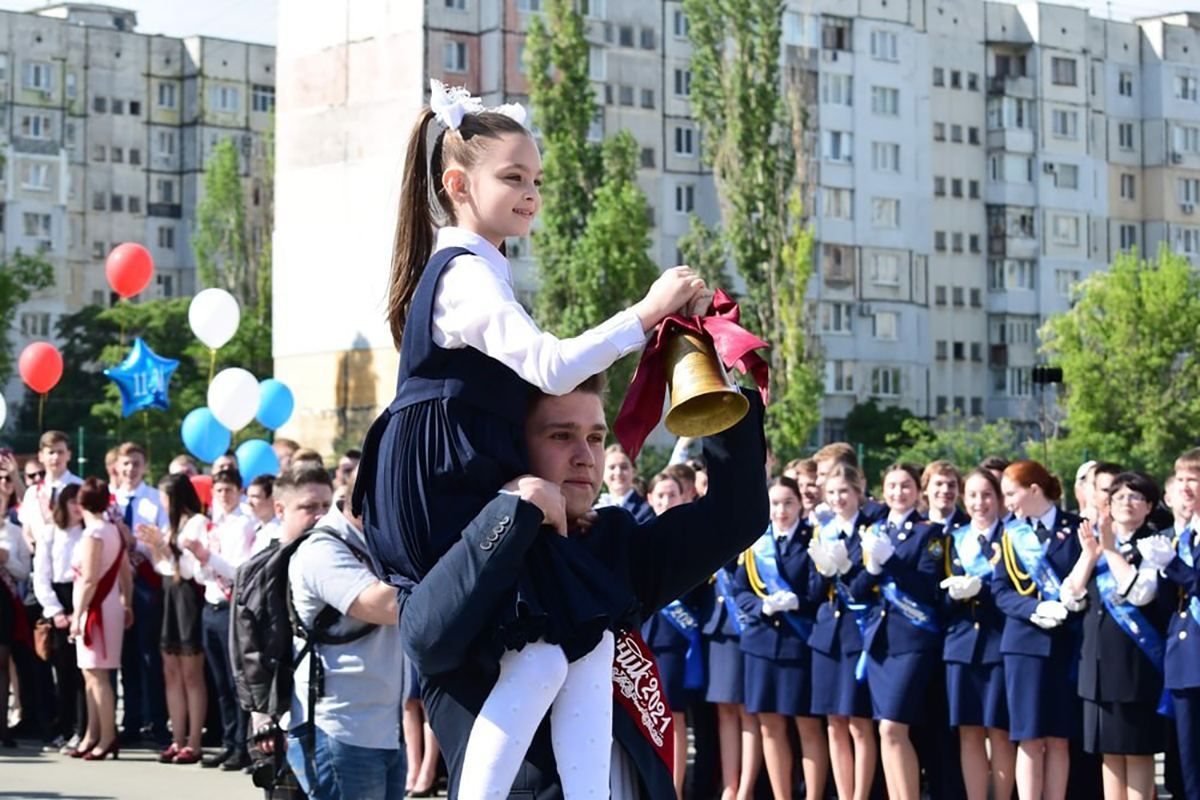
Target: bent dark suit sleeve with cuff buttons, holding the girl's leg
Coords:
[[448, 610]]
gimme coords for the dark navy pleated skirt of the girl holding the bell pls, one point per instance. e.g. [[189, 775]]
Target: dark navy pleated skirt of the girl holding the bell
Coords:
[[430, 470]]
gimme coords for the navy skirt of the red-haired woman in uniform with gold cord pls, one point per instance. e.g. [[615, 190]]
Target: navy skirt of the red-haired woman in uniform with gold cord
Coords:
[[1042, 697]]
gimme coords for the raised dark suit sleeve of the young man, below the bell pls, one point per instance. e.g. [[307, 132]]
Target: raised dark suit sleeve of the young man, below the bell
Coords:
[[685, 546]]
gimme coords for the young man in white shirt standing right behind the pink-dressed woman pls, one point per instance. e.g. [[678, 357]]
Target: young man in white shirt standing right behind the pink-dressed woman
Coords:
[[142, 682]]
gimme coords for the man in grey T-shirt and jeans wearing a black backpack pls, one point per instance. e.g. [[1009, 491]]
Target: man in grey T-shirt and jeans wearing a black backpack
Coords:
[[344, 647]]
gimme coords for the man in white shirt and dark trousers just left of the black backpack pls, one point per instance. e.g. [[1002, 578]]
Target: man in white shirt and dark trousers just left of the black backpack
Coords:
[[229, 544]]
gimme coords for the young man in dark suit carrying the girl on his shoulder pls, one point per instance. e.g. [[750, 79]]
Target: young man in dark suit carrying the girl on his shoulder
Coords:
[[443, 621]]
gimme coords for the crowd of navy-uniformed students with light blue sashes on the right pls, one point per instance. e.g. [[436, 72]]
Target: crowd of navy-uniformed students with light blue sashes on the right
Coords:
[[965, 636]]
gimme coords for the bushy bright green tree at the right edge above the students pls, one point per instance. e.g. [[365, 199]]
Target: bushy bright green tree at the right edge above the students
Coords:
[[1131, 368]]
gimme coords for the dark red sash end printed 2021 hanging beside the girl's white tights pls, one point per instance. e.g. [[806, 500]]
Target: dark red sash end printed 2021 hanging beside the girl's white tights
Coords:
[[639, 689]]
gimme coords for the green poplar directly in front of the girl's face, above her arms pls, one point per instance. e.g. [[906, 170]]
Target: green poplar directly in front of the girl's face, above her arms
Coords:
[[595, 236]]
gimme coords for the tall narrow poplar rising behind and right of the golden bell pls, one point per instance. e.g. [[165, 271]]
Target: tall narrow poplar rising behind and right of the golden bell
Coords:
[[751, 136]]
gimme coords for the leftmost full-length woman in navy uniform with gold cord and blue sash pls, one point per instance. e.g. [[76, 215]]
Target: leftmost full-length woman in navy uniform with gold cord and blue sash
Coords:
[[772, 592]]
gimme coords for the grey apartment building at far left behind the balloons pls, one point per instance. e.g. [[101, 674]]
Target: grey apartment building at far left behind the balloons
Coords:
[[105, 134]]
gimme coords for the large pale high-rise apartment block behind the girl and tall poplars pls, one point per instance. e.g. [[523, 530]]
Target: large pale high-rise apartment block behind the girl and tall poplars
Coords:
[[969, 164]]
